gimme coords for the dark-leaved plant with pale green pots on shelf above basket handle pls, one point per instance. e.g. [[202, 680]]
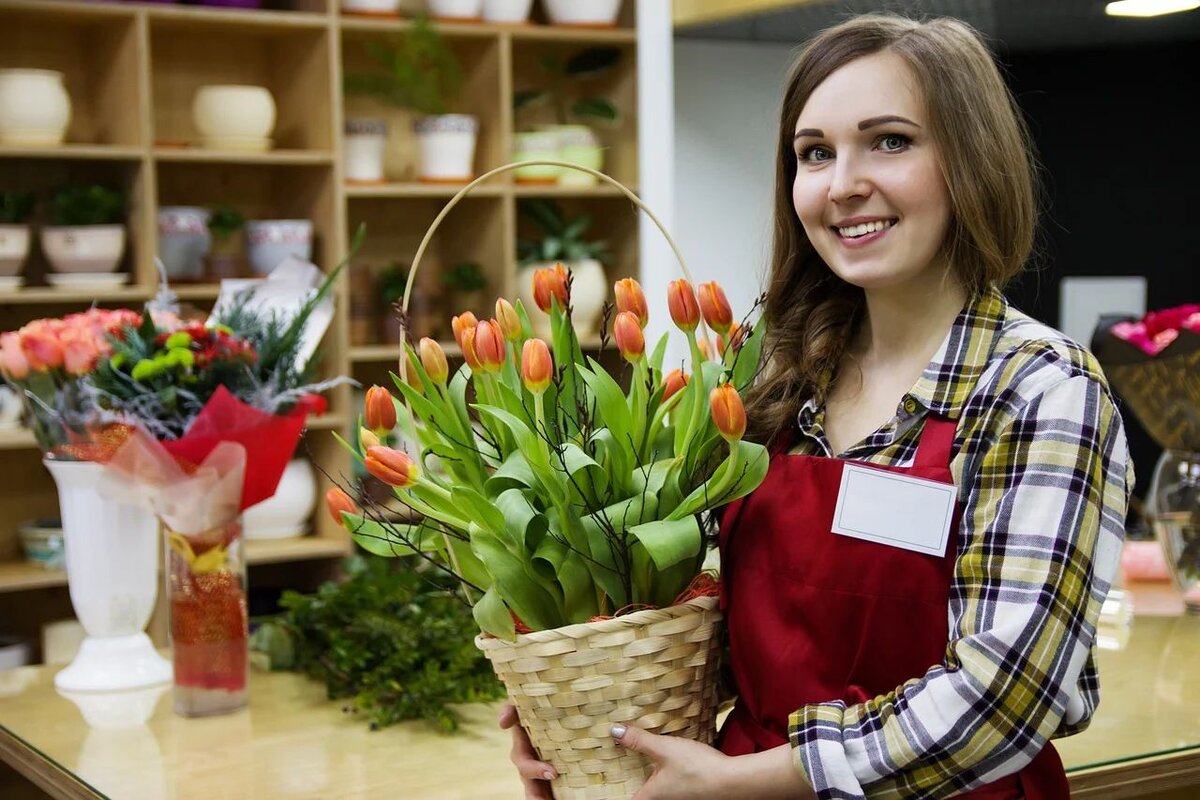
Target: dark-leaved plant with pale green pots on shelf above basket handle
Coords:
[[573, 142]]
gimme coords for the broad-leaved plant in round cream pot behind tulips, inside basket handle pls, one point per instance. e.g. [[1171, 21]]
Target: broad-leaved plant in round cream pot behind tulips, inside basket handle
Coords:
[[562, 242]]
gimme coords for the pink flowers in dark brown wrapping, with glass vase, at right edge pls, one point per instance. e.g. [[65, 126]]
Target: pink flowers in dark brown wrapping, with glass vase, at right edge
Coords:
[[1155, 365]]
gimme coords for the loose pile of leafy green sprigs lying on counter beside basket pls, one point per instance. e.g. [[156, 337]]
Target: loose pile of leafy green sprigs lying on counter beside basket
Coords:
[[391, 637]]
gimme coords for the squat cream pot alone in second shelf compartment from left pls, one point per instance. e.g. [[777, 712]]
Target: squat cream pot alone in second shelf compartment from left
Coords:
[[235, 117]]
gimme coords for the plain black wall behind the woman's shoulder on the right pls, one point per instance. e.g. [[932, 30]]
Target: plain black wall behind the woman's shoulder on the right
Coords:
[[1118, 136]]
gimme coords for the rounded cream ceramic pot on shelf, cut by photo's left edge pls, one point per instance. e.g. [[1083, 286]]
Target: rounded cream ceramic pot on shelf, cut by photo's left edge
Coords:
[[35, 109]]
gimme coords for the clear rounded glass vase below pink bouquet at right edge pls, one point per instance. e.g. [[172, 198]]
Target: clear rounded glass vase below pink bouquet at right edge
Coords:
[[1175, 513]]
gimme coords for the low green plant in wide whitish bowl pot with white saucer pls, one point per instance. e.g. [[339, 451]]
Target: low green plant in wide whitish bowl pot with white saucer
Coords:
[[86, 236]]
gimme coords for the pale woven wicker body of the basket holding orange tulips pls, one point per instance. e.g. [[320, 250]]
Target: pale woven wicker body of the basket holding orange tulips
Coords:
[[656, 669]]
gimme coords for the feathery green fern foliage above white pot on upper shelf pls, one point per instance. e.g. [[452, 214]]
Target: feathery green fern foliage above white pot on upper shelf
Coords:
[[421, 71]]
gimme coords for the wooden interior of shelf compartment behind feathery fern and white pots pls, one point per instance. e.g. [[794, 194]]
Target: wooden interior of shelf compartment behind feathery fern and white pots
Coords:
[[481, 97]]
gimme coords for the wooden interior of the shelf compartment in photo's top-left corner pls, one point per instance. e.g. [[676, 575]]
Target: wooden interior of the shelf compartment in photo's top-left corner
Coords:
[[99, 56]]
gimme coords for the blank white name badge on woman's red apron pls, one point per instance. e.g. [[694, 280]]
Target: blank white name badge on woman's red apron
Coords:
[[893, 509]]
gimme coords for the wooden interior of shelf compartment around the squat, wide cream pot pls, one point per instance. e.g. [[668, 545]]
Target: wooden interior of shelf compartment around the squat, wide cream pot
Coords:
[[293, 63]]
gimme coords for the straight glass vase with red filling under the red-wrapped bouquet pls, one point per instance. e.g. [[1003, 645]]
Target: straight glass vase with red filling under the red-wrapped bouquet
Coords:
[[209, 625]]
